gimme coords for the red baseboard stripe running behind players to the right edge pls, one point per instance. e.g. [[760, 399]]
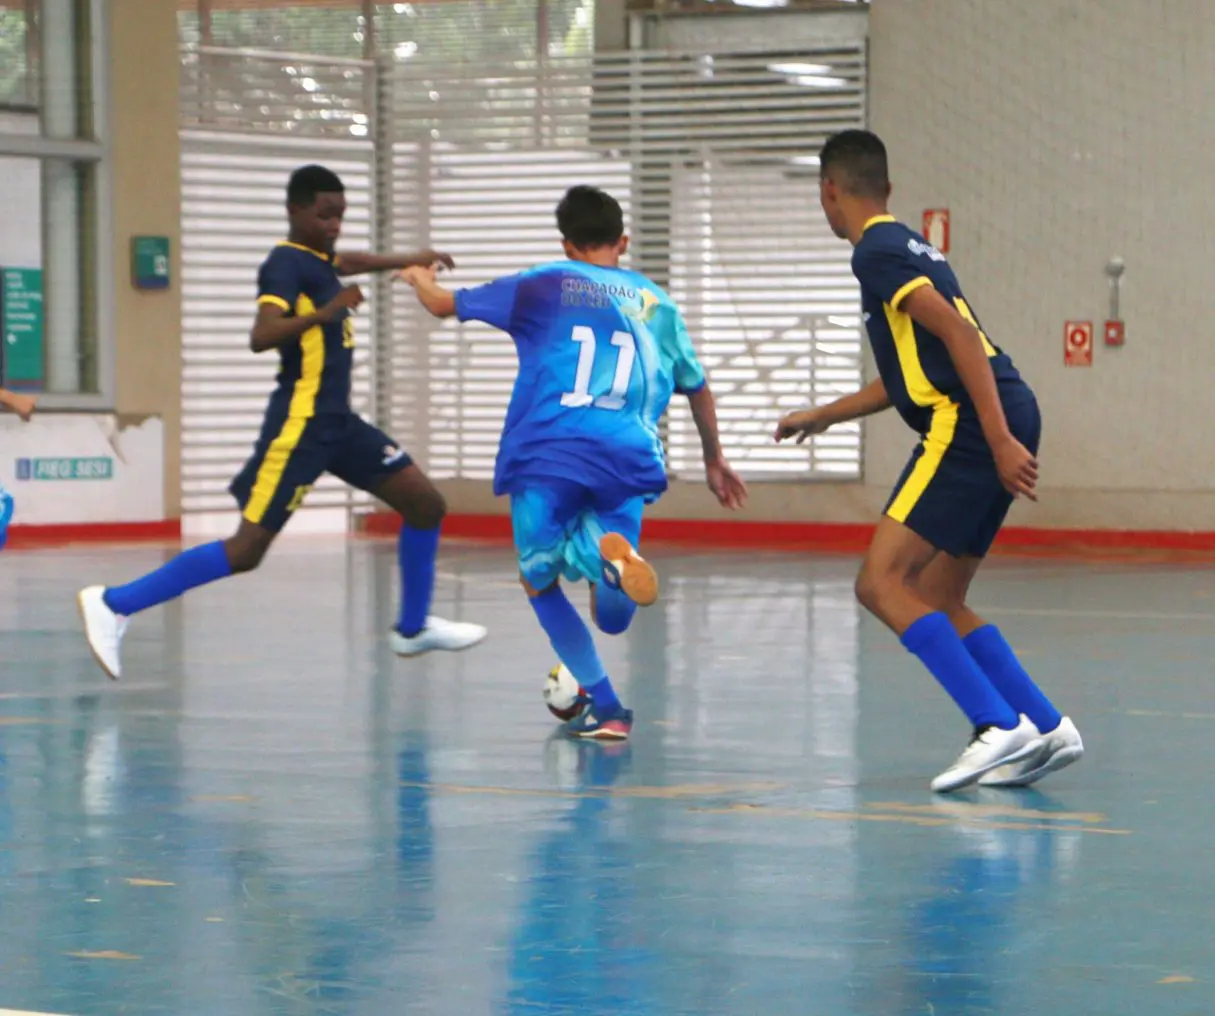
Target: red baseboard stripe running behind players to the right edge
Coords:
[[832, 537]]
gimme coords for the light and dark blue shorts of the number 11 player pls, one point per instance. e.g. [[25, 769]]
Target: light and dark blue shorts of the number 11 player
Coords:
[[558, 526]]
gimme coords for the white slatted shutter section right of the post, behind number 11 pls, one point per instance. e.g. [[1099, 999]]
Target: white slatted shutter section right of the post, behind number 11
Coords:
[[714, 156]]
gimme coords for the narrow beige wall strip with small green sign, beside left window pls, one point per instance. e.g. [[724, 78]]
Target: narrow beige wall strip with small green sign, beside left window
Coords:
[[146, 189]]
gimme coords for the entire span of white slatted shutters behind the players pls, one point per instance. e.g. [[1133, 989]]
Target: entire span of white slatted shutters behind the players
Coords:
[[711, 155]]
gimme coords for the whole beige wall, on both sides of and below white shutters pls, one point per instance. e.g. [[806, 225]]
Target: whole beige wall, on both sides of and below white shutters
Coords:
[[1059, 133]]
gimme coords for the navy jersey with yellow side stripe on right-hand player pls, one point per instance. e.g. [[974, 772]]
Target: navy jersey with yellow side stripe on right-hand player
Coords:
[[891, 262]]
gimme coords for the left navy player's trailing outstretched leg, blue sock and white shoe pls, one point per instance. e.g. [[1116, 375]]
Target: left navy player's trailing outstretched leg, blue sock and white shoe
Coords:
[[106, 613]]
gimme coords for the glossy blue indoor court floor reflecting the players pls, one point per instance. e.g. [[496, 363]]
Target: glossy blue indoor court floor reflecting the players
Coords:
[[272, 815]]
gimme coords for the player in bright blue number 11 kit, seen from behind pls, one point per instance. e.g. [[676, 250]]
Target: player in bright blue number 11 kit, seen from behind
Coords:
[[602, 351]]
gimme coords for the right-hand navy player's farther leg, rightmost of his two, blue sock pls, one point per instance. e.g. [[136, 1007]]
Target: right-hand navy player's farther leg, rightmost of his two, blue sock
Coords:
[[946, 584]]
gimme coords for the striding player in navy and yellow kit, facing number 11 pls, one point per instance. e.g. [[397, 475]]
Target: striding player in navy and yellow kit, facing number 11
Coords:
[[304, 313]]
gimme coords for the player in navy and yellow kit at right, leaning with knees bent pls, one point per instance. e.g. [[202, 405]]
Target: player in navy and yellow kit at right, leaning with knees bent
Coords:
[[980, 428]]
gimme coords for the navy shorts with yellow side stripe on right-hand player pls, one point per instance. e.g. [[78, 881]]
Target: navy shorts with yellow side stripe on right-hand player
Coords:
[[951, 493]]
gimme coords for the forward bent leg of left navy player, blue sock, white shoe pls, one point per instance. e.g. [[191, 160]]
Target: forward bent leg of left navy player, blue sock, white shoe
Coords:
[[422, 509]]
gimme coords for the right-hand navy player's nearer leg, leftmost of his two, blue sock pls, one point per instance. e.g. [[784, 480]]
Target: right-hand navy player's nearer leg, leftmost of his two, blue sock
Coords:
[[896, 561]]
